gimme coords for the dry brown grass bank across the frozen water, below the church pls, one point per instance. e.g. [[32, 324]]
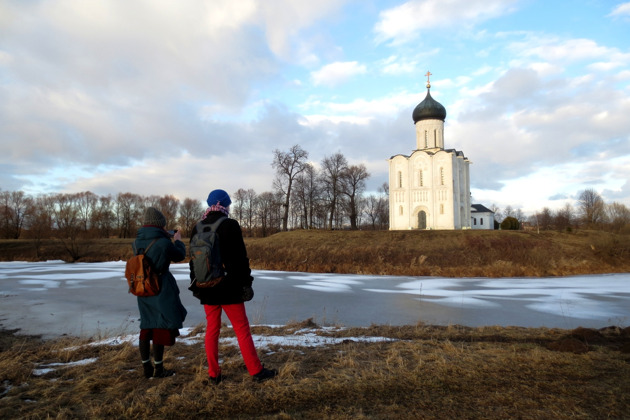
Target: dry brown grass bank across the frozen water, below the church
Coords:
[[417, 253]]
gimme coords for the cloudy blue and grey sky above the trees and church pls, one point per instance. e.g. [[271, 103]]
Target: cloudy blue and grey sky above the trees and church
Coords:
[[181, 97]]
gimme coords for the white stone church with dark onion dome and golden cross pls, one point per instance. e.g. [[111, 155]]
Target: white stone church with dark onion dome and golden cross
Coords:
[[429, 189]]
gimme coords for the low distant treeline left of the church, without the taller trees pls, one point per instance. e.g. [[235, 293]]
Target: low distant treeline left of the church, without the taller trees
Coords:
[[87, 215]]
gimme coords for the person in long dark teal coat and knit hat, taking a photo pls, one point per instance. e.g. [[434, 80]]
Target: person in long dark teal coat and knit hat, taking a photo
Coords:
[[161, 316]]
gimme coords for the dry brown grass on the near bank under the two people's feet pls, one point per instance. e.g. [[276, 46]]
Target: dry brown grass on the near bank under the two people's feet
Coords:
[[425, 372]]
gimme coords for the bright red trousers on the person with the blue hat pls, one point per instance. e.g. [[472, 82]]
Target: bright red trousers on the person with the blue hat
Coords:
[[240, 323]]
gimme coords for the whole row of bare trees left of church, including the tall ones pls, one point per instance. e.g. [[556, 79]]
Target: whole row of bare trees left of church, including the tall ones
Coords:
[[303, 197]]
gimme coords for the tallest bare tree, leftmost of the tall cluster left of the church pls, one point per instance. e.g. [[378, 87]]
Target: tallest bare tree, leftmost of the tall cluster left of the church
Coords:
[[288, 165]]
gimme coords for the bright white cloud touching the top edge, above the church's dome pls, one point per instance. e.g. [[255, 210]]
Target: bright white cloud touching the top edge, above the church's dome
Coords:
[[404, 22]]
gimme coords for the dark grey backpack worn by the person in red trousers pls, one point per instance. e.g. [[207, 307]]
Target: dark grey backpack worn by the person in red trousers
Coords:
[[205, 255]]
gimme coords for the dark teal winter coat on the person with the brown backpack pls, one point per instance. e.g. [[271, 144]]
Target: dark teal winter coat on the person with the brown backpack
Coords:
[[164, 310]]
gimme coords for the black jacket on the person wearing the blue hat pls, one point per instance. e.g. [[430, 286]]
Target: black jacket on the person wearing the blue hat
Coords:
[[234, 256]]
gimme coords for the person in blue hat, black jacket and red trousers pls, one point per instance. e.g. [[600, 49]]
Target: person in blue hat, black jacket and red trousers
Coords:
[[230, 294]]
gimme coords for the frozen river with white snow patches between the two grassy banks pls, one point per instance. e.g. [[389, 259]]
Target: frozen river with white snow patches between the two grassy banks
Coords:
[[54, 298]]
